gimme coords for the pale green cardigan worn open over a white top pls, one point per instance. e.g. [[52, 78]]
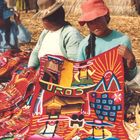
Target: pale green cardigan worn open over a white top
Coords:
[[69, 43]]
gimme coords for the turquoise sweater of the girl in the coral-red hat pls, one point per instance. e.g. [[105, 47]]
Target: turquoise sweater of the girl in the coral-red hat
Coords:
[[104, 44]]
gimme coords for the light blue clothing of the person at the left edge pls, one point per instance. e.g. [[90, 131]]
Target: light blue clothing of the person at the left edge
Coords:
[[18, 34]]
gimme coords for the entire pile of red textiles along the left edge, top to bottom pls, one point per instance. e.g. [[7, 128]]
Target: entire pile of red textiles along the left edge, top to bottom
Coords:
[[16, 90]]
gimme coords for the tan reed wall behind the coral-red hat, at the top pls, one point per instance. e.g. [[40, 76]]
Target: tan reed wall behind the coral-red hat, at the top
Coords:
[[117, 7]]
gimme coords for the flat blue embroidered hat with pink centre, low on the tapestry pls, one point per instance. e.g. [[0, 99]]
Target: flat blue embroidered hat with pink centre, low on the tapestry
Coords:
[[98, 123]]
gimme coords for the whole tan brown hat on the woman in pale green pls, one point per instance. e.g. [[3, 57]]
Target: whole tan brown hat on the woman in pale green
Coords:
[[47, 7]]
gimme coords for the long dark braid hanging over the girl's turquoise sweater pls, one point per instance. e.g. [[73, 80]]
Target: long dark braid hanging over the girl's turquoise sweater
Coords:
[[90, 49]]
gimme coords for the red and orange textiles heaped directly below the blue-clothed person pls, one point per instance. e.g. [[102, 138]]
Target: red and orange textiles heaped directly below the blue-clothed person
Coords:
[[11, 62]]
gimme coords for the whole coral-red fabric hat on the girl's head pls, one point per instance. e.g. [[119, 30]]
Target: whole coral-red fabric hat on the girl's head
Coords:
[[92, 9]]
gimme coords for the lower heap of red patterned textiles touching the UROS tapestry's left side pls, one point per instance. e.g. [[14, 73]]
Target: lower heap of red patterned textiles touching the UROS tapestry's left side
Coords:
[[15, 104]]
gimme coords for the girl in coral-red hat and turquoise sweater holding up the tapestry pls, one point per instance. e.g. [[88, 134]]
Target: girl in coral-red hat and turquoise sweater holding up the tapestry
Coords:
[[102, 38]]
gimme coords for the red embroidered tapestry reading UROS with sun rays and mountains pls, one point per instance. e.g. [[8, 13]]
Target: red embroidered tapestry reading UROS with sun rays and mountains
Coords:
[[81, 100]]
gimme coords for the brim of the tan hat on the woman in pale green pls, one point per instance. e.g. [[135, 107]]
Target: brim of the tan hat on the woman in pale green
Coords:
[[44, 13]]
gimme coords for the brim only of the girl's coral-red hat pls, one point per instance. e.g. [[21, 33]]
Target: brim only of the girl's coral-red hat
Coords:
[[92, 15]]
